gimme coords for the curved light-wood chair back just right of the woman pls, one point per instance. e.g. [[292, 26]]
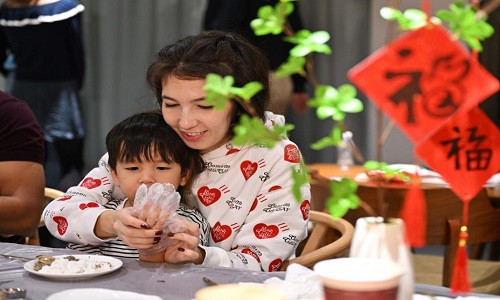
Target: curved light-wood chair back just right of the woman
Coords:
[[328, 239]]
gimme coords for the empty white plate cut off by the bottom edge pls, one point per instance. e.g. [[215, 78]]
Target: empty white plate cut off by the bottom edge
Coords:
[[99, 294]]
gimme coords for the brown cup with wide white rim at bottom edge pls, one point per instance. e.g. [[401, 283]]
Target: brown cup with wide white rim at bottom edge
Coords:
[[359, 278]]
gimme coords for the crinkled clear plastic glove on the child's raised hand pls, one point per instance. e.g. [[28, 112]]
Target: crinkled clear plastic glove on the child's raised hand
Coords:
[[157, 207]]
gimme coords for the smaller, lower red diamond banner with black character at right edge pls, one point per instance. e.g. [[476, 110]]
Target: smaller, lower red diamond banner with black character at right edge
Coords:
[[465, 151]]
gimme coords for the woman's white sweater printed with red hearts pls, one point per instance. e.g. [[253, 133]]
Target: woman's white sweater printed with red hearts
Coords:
[[245, 193]]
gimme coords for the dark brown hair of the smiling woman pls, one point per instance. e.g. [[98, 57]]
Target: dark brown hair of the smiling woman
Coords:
[[212, 51]]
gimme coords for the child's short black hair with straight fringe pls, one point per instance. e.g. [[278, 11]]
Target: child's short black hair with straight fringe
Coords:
[[144, 134]]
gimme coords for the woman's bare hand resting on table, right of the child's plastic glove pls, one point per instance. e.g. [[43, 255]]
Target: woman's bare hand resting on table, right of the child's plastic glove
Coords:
[[184, 246]]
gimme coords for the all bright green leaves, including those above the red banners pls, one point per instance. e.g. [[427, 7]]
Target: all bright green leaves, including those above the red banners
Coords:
[[329, 102]]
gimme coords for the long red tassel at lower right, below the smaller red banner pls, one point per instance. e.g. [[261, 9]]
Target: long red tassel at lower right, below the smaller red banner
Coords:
[[460, 283]]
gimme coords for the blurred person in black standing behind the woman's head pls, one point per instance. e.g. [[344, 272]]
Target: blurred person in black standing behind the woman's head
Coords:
[[235, 16]]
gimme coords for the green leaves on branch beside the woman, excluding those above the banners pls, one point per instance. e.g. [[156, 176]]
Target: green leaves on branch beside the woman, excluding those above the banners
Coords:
[[329, 102]]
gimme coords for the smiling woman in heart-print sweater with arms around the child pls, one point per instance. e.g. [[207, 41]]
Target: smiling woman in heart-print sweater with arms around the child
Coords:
[[244, 192]]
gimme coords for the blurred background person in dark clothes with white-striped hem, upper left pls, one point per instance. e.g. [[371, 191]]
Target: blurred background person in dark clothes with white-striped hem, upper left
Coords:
[[44, 40]]
